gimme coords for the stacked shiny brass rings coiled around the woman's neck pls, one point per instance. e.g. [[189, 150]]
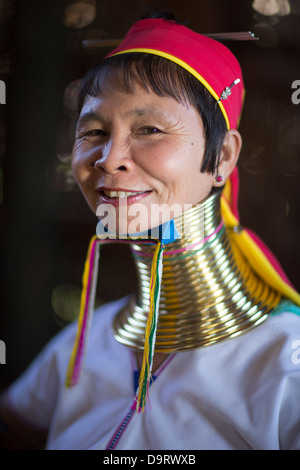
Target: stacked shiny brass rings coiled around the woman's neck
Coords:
[[209, 292]]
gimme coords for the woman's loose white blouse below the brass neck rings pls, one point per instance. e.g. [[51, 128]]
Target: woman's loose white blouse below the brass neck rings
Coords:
[[243, 393]]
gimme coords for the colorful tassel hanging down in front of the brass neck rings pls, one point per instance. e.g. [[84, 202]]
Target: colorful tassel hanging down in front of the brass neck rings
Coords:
[[145, 379]]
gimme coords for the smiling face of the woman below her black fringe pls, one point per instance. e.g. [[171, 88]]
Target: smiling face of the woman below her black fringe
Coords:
[[140, 155]]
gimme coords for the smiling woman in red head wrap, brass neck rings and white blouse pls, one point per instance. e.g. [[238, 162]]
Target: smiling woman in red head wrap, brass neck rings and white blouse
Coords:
[[205, 355]]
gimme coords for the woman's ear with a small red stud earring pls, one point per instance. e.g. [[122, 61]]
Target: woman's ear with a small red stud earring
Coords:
[[230, 152]]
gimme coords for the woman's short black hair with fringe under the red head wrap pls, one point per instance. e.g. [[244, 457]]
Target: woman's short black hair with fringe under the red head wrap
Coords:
[[164, 78]]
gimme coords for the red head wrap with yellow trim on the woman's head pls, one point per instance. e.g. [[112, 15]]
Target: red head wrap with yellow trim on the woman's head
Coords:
[[208, 60]]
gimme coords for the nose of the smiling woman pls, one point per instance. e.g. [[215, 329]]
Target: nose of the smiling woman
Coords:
[[115, 156]]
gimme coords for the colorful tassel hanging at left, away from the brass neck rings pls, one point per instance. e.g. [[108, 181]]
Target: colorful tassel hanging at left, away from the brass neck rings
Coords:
[[86, 311]]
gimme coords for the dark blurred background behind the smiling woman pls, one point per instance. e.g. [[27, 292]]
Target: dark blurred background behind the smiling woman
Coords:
[[46, 225]]
